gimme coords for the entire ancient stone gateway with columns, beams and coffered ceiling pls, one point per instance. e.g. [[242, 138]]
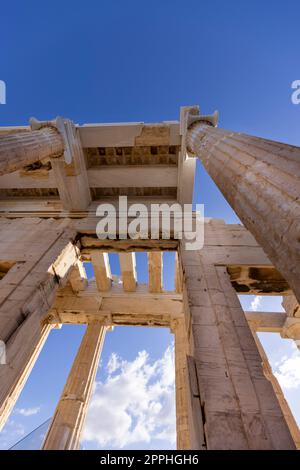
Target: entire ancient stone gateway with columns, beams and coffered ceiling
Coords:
[[53, 177]]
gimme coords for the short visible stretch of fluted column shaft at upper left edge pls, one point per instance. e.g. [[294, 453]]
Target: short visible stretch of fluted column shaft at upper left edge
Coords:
[[21, 149]]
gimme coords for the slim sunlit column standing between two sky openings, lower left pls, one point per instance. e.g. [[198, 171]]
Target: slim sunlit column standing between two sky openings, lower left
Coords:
[[69, 416]]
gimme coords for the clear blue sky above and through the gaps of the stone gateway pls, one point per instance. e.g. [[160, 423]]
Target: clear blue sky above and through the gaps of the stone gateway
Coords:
[[112, 61]]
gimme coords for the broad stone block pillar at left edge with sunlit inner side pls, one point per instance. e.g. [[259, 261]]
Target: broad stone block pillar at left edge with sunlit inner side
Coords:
[[45, 255]]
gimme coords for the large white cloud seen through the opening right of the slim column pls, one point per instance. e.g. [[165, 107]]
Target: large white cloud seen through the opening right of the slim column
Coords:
[[135, 404]]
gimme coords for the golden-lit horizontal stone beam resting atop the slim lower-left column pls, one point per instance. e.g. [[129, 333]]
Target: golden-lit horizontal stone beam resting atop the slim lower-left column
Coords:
[[116, 307]]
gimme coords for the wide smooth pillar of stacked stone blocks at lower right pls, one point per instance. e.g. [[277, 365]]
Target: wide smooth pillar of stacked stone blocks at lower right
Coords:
[[238, 405]]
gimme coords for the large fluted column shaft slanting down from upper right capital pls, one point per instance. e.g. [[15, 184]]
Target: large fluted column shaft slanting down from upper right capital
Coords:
[[261, 181]]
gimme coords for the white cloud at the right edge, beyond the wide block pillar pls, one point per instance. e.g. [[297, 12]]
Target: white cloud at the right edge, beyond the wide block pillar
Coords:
[[287, 371]]
